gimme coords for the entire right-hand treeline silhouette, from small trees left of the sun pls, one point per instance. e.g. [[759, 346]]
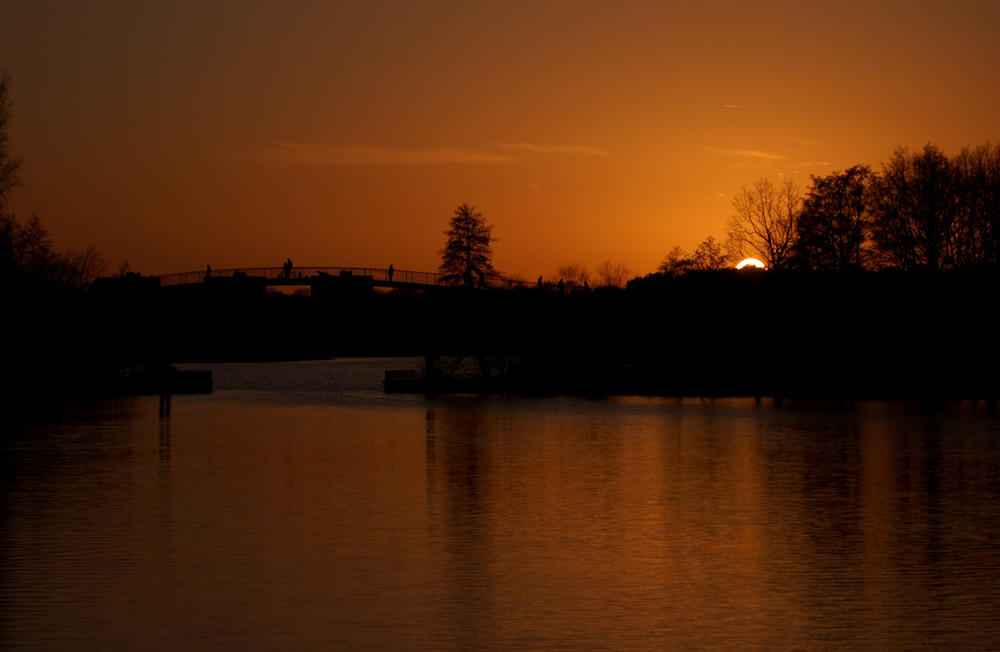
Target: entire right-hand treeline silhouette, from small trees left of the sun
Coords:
[[921, 210]]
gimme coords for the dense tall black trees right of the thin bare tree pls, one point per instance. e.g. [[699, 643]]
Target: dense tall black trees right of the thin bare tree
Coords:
[[922, 210]]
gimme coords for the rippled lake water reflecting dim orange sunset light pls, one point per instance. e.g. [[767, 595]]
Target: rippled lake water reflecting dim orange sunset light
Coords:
[[300, 508]]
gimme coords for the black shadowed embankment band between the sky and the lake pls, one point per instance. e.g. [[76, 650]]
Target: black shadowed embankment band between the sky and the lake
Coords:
[[870, 335]]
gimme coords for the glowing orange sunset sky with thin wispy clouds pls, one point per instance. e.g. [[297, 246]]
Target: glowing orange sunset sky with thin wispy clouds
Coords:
[[238, 134]]
